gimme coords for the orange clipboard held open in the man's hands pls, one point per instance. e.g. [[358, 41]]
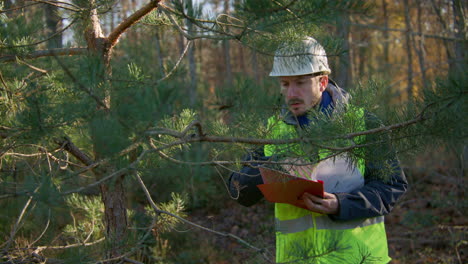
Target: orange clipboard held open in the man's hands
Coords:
[[280, 187]]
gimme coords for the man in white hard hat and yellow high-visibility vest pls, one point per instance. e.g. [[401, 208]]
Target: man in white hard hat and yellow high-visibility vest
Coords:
[[347, 224]]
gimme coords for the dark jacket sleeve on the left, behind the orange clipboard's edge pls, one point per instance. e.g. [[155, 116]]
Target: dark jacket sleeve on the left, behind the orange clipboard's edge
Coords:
[[243, 184]]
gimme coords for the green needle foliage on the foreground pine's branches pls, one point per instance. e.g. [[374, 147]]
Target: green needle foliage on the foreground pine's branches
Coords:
[[37, 109]]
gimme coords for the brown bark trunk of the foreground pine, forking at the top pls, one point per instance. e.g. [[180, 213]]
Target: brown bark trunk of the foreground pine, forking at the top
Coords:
[[112, 193]]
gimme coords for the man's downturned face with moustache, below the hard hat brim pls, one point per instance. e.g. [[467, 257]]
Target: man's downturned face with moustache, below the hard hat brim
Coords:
[[302, 92]]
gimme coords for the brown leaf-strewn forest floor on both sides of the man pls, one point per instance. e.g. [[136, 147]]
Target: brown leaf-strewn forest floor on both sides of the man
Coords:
[[428, 225]]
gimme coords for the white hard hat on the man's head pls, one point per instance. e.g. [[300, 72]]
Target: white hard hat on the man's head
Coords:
[[306, 58]]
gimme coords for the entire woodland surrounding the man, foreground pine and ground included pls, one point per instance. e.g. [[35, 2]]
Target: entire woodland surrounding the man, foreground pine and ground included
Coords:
[[120, 119]]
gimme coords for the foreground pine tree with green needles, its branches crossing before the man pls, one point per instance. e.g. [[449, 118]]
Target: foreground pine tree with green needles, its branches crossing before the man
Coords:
[[93, 128]]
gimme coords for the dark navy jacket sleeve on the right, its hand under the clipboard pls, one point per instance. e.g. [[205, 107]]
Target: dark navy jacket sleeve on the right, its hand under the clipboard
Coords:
[[384, 183]]
